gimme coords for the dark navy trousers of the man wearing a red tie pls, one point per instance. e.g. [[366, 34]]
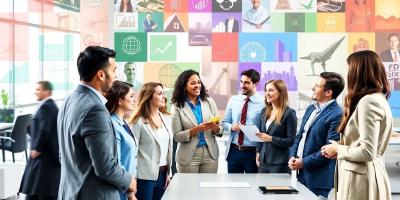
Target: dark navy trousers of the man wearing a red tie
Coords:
[[241, 161]]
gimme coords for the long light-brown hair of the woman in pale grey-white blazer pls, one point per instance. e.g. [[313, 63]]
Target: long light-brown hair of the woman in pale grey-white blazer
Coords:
[[143, 107]]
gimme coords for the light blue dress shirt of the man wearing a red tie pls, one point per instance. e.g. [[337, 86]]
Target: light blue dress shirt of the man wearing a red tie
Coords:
[[234, 110]]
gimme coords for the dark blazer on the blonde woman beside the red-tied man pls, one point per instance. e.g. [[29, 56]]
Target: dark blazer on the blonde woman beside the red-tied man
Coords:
[[277, 151]]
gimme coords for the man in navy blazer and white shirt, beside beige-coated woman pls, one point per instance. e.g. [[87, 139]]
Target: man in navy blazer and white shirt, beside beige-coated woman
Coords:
[[318, 126]]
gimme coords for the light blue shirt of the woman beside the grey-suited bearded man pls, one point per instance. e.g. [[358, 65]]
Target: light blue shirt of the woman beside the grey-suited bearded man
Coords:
[[126, 147]]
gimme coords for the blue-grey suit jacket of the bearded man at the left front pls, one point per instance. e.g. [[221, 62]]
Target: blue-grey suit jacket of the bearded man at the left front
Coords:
[[88, 150]]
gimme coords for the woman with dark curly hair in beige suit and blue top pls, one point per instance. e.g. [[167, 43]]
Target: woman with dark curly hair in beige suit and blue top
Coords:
[[194, 131]]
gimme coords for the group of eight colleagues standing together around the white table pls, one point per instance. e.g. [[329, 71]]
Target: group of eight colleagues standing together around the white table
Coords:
[[110, 149]]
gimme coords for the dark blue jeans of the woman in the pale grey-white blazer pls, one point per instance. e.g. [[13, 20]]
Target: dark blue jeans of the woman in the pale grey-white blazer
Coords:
[[151, 190]]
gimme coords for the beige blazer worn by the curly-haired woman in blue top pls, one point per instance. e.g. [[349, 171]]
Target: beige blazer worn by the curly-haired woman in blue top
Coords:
[[183, 120]]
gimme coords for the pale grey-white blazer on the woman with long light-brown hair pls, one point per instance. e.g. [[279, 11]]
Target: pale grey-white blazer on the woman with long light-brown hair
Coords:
[[149, 151]]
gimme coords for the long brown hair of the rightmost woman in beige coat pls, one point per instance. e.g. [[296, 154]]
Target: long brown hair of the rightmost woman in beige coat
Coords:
[[366, 75]]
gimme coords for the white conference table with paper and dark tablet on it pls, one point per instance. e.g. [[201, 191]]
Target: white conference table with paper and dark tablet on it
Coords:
[[187, 186]]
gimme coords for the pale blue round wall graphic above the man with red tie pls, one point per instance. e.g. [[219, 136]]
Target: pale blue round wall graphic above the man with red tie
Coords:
[[252, 52]]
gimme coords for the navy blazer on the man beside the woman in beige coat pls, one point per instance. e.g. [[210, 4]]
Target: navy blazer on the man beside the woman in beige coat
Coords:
[[318, 171]]
